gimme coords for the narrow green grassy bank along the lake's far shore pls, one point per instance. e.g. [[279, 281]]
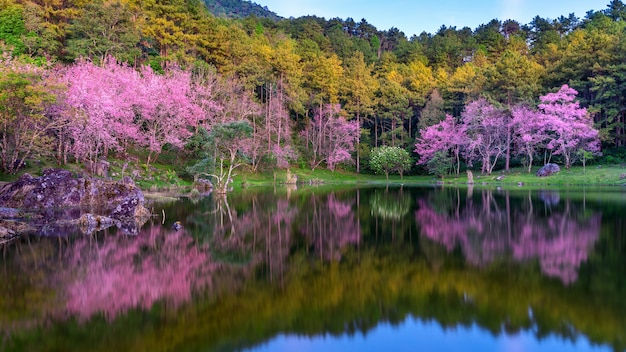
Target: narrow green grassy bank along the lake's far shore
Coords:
[[169, 177]]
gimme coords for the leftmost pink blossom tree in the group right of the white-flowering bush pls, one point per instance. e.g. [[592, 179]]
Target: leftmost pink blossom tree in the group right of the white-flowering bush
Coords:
[[447, 136]]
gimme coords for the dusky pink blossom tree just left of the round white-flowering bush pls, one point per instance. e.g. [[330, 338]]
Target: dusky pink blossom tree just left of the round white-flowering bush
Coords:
[[330, 137]]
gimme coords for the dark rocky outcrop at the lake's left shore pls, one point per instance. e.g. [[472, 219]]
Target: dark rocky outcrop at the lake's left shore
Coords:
[[60, 196]]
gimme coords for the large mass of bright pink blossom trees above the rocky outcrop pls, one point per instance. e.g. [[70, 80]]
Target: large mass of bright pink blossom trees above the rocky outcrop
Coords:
[[114, 105]]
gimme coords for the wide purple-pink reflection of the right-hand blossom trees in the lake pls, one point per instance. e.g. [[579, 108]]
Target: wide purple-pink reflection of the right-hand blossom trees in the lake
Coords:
[[560, 242]]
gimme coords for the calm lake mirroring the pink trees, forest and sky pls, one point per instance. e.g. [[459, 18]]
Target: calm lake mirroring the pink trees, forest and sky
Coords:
[[332, 268]]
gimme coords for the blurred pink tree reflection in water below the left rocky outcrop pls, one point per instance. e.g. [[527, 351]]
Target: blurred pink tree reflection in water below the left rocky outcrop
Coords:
[[128, 272]]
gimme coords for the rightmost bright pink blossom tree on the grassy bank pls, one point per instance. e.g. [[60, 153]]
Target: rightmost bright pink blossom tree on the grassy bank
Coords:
[[572, 128]]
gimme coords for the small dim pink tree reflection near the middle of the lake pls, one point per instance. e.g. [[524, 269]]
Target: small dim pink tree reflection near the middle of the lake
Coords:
[[331, 227]]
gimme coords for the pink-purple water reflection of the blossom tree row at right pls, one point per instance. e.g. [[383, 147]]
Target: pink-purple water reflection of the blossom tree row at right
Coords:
[[494, 227]]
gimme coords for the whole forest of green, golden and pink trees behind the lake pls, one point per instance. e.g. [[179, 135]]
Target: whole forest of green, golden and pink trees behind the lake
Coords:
[[85, 81]]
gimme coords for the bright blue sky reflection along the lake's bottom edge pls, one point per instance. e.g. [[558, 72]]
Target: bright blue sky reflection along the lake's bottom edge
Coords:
[[415, 335]]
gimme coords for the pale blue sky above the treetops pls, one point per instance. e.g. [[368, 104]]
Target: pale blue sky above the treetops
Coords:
[[416, 16]]
